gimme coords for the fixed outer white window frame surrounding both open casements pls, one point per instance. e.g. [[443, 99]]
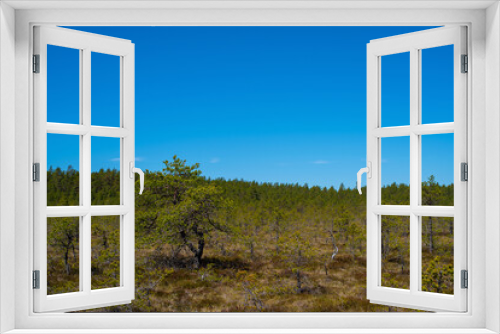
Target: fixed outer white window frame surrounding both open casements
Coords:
[[16, 125]]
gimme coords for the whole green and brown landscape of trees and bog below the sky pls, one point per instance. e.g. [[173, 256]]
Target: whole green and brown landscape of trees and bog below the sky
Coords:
[[216, 245]]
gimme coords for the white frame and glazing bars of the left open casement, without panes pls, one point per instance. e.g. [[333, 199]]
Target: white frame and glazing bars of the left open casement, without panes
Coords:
[[86, 44]]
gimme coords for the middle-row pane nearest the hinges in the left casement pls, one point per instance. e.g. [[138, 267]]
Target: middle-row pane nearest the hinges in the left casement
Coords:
[[63, 177]]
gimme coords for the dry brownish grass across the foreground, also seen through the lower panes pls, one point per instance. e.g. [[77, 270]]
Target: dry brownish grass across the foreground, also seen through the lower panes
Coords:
[[232, 280]]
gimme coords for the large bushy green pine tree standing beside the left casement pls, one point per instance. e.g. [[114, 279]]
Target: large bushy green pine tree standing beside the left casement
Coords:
[[182, 209]]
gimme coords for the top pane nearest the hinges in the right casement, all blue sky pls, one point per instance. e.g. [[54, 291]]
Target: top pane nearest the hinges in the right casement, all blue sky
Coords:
[[437, 85]]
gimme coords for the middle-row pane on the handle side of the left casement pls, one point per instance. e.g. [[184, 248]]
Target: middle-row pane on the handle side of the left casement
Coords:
[[105, 171]]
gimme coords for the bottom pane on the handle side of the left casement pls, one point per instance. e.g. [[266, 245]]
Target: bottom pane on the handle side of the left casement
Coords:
[[105, 252]]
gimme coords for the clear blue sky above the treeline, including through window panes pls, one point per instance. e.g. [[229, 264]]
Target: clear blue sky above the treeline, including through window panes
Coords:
[[271, 104]]
